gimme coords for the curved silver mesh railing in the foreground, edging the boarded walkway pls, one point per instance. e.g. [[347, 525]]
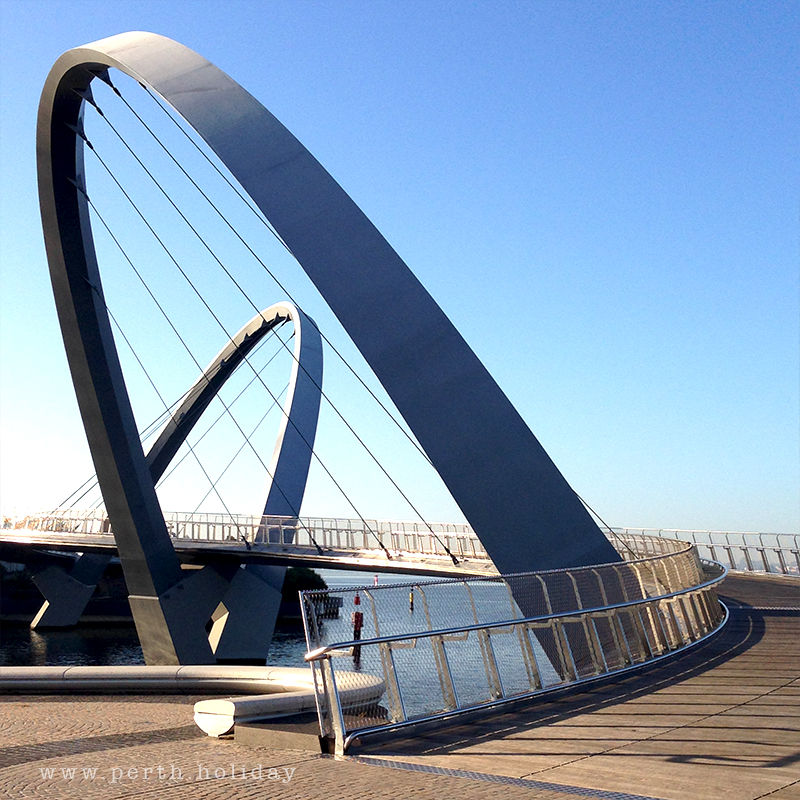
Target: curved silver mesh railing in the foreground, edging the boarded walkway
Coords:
[[447, 647]]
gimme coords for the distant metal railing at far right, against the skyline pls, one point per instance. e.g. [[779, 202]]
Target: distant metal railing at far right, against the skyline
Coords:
[[776, 553]]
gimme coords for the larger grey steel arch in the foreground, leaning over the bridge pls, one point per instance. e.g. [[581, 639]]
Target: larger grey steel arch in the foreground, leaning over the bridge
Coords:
[[524, 511]]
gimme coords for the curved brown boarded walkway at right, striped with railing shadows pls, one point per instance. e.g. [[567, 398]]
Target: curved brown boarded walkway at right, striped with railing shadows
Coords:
[[720, 723]]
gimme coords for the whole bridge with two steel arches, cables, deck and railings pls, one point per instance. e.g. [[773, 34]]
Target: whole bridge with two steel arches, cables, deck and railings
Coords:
[[536, 596]]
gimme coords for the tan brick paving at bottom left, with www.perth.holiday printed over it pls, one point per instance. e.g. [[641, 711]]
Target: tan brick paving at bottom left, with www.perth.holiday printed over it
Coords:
[[102, 748]]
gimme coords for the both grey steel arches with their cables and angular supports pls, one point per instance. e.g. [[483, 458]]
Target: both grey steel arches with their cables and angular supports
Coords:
[[454, 413]]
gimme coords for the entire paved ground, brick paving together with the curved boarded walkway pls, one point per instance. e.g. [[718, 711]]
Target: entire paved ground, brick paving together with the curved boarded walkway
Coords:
[[720, 723]]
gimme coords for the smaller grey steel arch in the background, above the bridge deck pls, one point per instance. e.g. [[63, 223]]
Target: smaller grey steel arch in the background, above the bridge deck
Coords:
[[291, 458]]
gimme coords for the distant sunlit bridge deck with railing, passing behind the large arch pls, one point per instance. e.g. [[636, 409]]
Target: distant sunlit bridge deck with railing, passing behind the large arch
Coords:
[[435, 549]]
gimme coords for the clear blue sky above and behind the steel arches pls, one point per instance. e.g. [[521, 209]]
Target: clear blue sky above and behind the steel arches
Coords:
[[603, 197]]
